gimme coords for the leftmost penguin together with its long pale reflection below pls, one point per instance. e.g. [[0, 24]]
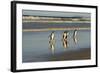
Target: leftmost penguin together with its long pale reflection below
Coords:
[[52, 42]]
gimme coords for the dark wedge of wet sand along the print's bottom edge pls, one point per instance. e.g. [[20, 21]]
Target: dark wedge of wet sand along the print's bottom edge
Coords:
[[63, 56]]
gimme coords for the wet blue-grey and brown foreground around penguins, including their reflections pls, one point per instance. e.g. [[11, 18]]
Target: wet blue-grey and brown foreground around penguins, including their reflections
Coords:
[[36, 46]]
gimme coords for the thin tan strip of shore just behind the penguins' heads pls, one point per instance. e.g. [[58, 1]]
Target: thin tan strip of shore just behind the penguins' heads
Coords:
[[53, 29]]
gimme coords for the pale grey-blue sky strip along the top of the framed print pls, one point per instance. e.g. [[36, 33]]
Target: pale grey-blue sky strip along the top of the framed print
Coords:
[[55, 13]]
